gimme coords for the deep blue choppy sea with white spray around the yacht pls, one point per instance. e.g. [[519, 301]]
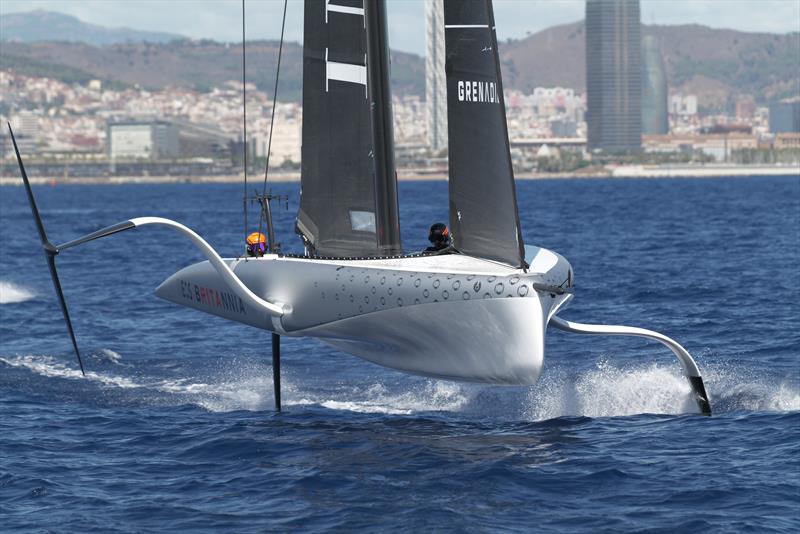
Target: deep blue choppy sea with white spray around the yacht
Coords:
[[173, 428]]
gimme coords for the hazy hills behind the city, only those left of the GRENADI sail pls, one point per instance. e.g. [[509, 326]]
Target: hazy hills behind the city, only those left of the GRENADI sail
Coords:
[[200, 65]]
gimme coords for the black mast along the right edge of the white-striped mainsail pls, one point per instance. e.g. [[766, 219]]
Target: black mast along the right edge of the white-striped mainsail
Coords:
[[387, 215]]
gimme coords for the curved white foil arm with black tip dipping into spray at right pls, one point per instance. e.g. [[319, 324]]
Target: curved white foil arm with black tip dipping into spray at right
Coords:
[[689, 366]]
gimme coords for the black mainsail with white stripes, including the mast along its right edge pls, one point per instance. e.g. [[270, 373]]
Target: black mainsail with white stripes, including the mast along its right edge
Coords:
[[348, 203]]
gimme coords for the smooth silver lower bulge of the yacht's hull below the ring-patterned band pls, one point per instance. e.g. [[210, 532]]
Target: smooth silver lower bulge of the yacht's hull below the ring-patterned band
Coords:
[[492, 341]]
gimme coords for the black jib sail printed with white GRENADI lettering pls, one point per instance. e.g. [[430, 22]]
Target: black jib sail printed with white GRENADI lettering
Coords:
[[483, 203]]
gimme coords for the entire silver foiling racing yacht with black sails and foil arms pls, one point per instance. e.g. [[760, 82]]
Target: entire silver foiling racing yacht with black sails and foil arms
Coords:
[[492, 297]]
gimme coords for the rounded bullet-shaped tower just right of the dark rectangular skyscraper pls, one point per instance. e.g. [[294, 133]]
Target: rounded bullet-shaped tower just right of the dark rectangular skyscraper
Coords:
[[655, 119]]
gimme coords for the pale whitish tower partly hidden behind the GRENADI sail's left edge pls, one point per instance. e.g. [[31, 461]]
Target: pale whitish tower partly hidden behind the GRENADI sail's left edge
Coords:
[[435, 81]]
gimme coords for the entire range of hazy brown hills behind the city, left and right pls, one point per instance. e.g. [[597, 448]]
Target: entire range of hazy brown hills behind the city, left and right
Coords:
[[717, 65]]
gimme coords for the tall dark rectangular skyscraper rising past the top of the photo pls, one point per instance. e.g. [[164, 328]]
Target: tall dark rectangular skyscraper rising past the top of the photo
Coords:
[[613, 75]]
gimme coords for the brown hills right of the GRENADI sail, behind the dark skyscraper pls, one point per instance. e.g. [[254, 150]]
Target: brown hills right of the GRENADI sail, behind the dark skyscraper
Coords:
[[716, 65]]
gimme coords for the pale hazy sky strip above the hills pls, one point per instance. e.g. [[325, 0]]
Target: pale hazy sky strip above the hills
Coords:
[[221, 19]]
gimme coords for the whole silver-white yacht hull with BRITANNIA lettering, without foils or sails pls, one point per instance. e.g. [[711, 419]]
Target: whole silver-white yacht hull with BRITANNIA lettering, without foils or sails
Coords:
[[453, 316]]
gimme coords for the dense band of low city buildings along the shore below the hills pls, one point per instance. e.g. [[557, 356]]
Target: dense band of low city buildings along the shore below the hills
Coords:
[[71, 129]]
